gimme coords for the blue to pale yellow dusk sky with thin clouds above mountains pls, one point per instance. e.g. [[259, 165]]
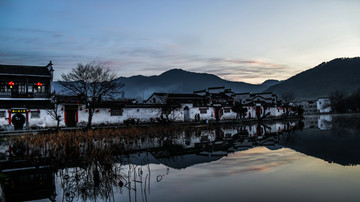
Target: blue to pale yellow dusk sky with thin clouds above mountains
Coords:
[[249, 41]]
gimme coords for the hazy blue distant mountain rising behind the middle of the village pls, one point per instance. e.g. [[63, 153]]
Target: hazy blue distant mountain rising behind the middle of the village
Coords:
[[181, 81]]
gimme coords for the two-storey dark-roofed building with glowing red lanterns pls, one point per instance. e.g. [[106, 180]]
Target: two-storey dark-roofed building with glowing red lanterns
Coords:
[[25, 94]]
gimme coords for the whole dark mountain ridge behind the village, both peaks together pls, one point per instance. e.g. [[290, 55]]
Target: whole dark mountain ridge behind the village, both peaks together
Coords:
[[342, 74]]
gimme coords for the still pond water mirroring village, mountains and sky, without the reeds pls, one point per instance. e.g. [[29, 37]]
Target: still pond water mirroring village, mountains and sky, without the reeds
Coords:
[[316, 159]]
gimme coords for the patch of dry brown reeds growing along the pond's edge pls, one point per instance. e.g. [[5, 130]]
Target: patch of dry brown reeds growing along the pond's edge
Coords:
[[70, 147]]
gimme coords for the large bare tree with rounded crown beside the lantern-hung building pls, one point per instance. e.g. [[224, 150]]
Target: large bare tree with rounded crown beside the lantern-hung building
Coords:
[[94, 82]]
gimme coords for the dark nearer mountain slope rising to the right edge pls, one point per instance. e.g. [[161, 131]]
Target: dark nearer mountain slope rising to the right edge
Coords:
[[342, 74]]
